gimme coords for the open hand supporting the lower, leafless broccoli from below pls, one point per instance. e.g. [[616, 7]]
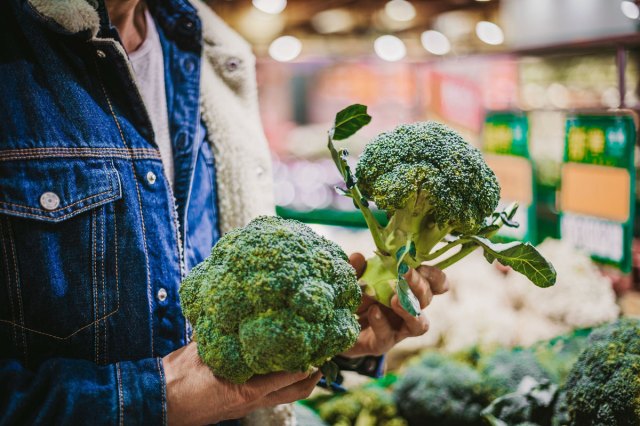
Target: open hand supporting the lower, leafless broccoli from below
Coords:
[[196, 397]]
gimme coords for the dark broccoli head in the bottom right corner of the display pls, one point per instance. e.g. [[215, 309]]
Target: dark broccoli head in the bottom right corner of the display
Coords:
[[603, 388]]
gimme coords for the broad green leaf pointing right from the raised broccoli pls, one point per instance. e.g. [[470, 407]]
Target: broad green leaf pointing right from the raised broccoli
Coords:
[[521, 257]]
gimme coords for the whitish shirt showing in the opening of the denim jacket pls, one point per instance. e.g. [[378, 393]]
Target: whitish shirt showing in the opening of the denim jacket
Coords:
[[148, 65]]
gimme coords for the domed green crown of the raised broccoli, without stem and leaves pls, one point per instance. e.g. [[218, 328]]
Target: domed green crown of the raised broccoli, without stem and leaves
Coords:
[[425, 176]]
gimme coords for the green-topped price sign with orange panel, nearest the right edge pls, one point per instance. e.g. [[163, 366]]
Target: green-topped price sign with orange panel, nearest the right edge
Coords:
[[598, 186]]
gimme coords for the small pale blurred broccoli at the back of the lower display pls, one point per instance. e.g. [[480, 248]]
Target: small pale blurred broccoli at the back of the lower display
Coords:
[[504, 370]]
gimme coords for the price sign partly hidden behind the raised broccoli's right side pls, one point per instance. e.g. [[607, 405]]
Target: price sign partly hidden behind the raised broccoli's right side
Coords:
[[505, 144]]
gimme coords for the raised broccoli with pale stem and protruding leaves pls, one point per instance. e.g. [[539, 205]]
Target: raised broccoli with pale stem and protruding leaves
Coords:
[[435, 188]]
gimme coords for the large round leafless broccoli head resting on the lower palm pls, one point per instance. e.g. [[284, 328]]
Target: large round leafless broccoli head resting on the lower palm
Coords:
[[272, 296]]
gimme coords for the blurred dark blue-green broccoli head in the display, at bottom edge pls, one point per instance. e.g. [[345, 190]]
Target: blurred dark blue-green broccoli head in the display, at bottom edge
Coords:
[[439, 391]]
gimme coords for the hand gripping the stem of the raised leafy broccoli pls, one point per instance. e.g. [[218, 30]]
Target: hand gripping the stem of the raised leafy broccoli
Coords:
[[384, 327]]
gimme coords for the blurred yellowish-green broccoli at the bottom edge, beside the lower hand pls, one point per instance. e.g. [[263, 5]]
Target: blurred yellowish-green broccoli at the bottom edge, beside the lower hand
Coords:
[[367, 406]]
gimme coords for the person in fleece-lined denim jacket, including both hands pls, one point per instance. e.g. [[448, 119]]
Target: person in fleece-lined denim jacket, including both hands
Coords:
[[130, 139]]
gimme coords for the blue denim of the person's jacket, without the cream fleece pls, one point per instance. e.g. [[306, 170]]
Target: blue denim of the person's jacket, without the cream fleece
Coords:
[[90, 252]]
